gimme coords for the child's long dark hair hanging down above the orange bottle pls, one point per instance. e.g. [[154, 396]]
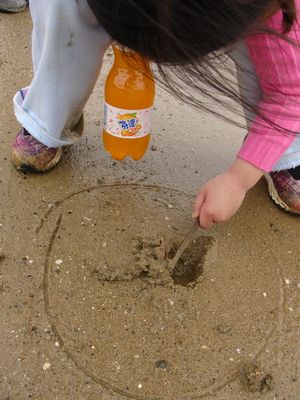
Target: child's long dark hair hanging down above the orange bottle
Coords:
[[184, 38]]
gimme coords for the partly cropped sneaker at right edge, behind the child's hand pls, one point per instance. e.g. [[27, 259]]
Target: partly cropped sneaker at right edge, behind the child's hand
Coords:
[[284, 190]]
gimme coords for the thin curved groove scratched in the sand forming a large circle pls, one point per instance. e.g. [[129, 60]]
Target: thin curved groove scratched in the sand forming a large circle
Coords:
[[208, 391]]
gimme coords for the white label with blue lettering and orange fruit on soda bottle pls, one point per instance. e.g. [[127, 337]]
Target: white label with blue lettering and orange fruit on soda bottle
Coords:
[[128, 124]]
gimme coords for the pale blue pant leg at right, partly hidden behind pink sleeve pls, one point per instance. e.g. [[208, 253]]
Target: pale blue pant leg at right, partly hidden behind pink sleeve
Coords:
[[251, 90]]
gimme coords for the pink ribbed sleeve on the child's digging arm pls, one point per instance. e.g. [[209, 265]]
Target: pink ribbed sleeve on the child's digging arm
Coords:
[[277, 66]]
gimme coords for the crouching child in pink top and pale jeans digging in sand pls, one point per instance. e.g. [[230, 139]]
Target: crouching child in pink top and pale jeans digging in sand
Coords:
[[69, 41]]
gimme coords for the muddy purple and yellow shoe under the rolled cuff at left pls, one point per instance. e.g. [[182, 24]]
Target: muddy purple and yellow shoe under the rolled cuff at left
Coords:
[[29, 155]]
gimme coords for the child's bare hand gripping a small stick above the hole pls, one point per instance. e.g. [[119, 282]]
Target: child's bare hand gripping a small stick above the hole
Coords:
[[219, 199]]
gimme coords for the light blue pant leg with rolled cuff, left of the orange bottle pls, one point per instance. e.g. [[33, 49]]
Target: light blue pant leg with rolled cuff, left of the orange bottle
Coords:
[[68, 46]]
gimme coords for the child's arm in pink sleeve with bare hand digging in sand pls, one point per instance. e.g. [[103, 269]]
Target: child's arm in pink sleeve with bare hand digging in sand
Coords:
[[277, 65]]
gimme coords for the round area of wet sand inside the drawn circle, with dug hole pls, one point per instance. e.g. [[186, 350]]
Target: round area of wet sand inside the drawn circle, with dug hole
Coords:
[[118, 311]]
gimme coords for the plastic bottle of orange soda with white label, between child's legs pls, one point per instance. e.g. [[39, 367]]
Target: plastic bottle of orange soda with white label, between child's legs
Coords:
[[129, 98]]
